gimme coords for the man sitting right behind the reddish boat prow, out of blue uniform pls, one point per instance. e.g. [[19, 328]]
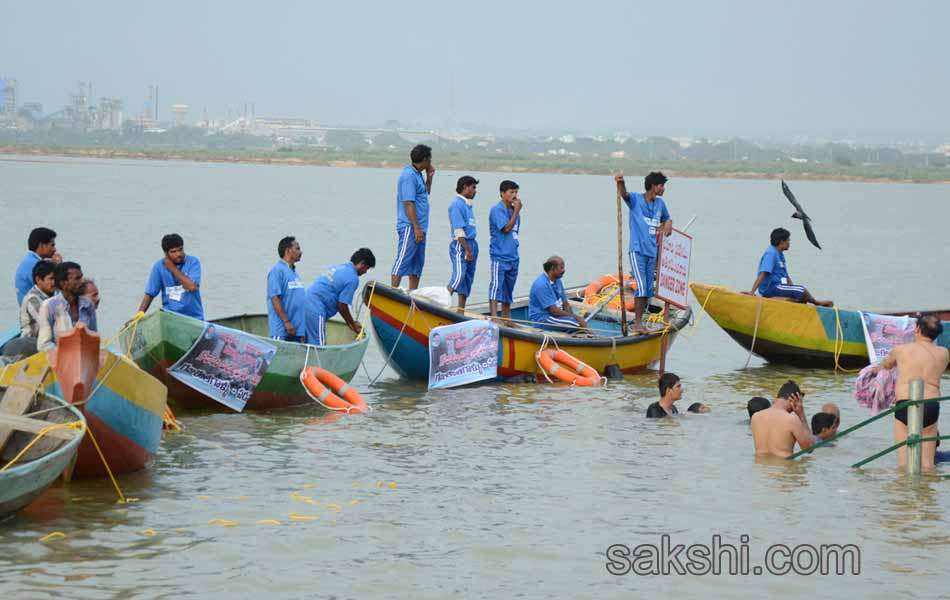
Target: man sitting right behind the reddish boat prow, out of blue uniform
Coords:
[[60, 313]]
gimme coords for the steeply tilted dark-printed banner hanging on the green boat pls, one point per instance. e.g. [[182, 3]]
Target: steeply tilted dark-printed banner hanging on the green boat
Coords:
[[225, 365]]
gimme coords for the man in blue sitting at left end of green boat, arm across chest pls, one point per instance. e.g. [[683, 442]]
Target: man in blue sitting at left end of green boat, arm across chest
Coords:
[[177, 277]]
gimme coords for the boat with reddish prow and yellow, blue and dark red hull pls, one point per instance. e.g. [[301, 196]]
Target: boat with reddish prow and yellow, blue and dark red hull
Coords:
[[123, 405]]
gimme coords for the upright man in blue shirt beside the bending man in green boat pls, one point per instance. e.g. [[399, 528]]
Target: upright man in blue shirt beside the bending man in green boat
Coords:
[[286, 294]]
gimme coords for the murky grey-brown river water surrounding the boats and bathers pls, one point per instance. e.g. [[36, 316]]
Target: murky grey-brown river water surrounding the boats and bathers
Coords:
[[492, 491]]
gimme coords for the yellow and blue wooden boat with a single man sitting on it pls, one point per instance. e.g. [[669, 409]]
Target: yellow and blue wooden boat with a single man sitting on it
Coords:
[[792, 333]]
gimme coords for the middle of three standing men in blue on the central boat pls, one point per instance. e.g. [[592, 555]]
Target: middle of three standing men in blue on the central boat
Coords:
[[463, 249]]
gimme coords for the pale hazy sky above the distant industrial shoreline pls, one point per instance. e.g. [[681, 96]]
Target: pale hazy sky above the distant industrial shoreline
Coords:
[[844, 68]]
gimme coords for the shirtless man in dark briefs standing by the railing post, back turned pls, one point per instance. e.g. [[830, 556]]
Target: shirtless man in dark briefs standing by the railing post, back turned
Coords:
[[922, 359]]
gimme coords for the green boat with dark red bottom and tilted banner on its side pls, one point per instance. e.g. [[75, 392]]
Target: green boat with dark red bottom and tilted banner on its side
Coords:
[[162, 337]]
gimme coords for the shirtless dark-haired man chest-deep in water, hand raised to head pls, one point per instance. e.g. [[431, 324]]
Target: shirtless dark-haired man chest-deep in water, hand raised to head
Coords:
[[776, 429]]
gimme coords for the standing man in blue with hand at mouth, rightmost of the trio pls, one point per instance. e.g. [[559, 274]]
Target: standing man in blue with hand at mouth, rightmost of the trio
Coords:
[[504, 223]]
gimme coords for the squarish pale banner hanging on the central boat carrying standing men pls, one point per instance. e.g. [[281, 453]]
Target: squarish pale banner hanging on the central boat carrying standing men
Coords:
[[462, 353]]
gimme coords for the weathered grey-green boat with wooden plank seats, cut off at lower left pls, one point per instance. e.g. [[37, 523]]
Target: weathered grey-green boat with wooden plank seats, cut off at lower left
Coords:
[[24, 480]]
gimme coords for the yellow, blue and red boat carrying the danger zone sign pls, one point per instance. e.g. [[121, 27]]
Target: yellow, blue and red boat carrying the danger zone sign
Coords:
[[402, 324]]
